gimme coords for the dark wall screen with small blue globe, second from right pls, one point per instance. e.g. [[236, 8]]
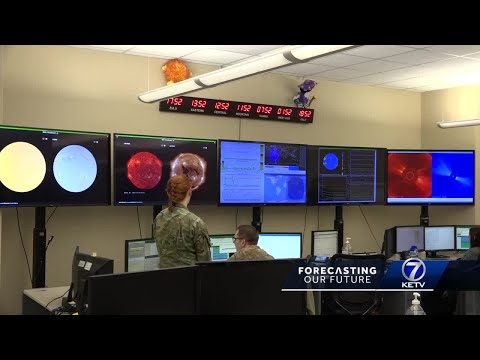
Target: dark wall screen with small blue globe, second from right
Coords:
[[346, 175]]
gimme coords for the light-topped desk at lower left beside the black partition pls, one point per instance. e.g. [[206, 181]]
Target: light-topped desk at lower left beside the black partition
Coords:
[[35, 300]]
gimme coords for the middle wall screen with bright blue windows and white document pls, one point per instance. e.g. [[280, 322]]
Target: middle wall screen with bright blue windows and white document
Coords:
[[261, 173]]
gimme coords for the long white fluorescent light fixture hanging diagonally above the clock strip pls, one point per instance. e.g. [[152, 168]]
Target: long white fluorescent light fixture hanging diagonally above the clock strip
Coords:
[[272, 60]]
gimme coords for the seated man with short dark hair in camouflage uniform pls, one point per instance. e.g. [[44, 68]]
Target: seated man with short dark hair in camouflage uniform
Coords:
[[245, 240]]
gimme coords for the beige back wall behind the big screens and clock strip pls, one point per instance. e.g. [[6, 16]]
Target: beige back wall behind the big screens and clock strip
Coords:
[[74, 88]]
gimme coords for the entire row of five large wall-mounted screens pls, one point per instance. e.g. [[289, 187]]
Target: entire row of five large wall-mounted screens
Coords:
[[45, 167]]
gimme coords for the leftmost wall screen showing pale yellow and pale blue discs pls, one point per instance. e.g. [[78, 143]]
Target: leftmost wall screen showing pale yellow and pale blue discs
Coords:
[[47, 167]]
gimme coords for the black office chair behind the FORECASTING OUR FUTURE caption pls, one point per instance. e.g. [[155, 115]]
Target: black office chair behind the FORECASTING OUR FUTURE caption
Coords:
[[354, 302]]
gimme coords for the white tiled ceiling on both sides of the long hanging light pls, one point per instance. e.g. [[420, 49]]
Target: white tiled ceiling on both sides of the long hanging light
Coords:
[[409, 67]]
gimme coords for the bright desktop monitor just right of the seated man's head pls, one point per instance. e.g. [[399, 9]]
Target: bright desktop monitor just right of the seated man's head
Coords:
[[281, 245]]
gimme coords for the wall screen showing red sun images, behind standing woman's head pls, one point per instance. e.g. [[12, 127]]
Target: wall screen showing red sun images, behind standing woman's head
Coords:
[[143, 164]]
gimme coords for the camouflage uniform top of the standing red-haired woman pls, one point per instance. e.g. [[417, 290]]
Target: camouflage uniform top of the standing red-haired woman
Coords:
[[181, 237]]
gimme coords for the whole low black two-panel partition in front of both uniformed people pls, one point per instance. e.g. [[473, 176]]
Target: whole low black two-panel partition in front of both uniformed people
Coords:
[[236, 287]]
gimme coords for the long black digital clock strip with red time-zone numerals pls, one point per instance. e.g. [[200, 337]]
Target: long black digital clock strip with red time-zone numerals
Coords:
[[194, 105]]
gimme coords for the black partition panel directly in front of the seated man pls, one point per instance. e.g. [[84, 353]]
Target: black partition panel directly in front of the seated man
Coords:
[[247, 288]]
